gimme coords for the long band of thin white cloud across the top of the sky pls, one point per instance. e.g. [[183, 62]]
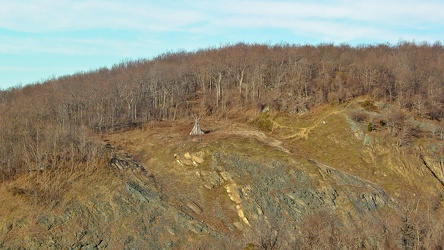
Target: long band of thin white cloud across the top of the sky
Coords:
[[336, 20]]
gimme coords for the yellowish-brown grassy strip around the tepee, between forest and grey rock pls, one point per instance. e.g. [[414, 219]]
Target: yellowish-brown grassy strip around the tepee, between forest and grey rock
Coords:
[[323, 135]]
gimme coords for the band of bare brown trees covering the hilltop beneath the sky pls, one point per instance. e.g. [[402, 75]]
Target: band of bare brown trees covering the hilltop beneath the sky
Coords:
[[48, 124]]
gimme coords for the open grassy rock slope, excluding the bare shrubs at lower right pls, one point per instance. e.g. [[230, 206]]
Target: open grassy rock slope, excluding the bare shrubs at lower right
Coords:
[[223, 192]]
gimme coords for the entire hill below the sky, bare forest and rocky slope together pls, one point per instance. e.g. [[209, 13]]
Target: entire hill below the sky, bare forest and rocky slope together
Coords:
[[306, 147]]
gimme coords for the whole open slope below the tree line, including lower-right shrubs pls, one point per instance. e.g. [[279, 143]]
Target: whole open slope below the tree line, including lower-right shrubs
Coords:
[[337, 176]]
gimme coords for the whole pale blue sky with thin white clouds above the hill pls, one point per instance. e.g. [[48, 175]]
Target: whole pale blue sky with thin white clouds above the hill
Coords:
[[43, 39]]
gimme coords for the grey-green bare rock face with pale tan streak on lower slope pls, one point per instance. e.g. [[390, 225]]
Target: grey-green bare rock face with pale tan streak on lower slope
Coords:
[[136, 214]]
